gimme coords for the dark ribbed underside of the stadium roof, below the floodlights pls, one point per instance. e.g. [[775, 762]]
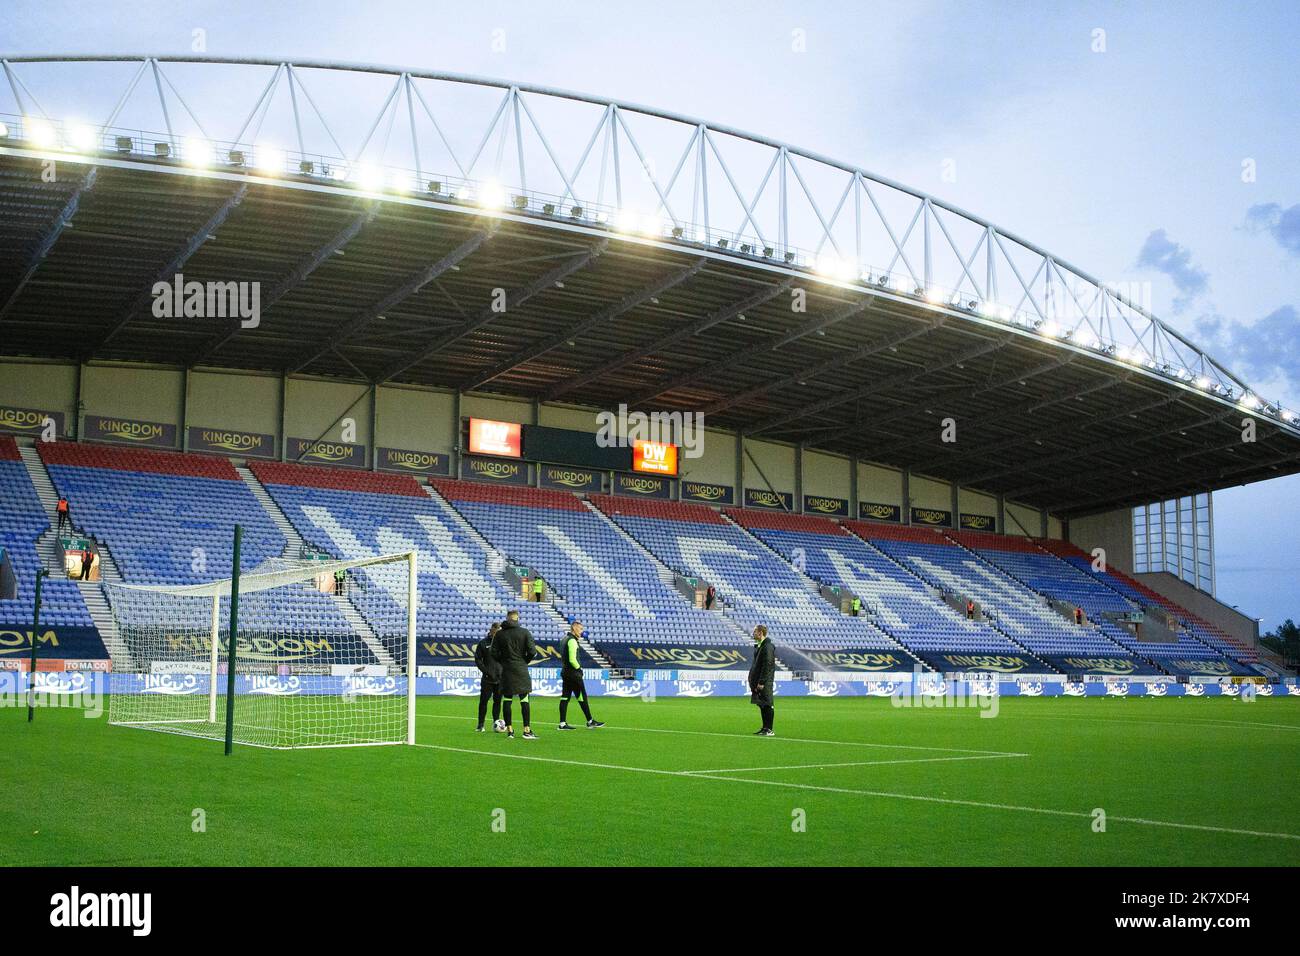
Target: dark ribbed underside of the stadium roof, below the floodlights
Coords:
[[389, 292]]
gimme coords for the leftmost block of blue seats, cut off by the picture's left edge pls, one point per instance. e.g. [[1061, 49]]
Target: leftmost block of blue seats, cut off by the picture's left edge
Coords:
[[23, 524]]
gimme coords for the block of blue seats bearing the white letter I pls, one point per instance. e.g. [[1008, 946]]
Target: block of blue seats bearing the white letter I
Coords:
[[622, 595]]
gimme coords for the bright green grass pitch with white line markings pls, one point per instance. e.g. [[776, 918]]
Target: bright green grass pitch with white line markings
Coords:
[[681, 782]]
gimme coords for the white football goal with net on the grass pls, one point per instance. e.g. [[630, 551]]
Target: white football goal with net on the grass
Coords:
[[313, 668]]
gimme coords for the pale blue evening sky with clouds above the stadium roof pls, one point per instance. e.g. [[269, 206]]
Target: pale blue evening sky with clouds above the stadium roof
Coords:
[[1147, 144]]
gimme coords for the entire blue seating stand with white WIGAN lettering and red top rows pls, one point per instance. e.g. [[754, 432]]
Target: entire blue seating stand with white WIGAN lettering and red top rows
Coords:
[[167, 518]]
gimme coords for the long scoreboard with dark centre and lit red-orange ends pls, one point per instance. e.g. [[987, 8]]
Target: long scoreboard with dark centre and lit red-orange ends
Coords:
[[569, 447]]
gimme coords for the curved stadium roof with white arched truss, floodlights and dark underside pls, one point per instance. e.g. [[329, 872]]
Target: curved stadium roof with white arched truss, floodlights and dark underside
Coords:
[[647, 258]]
